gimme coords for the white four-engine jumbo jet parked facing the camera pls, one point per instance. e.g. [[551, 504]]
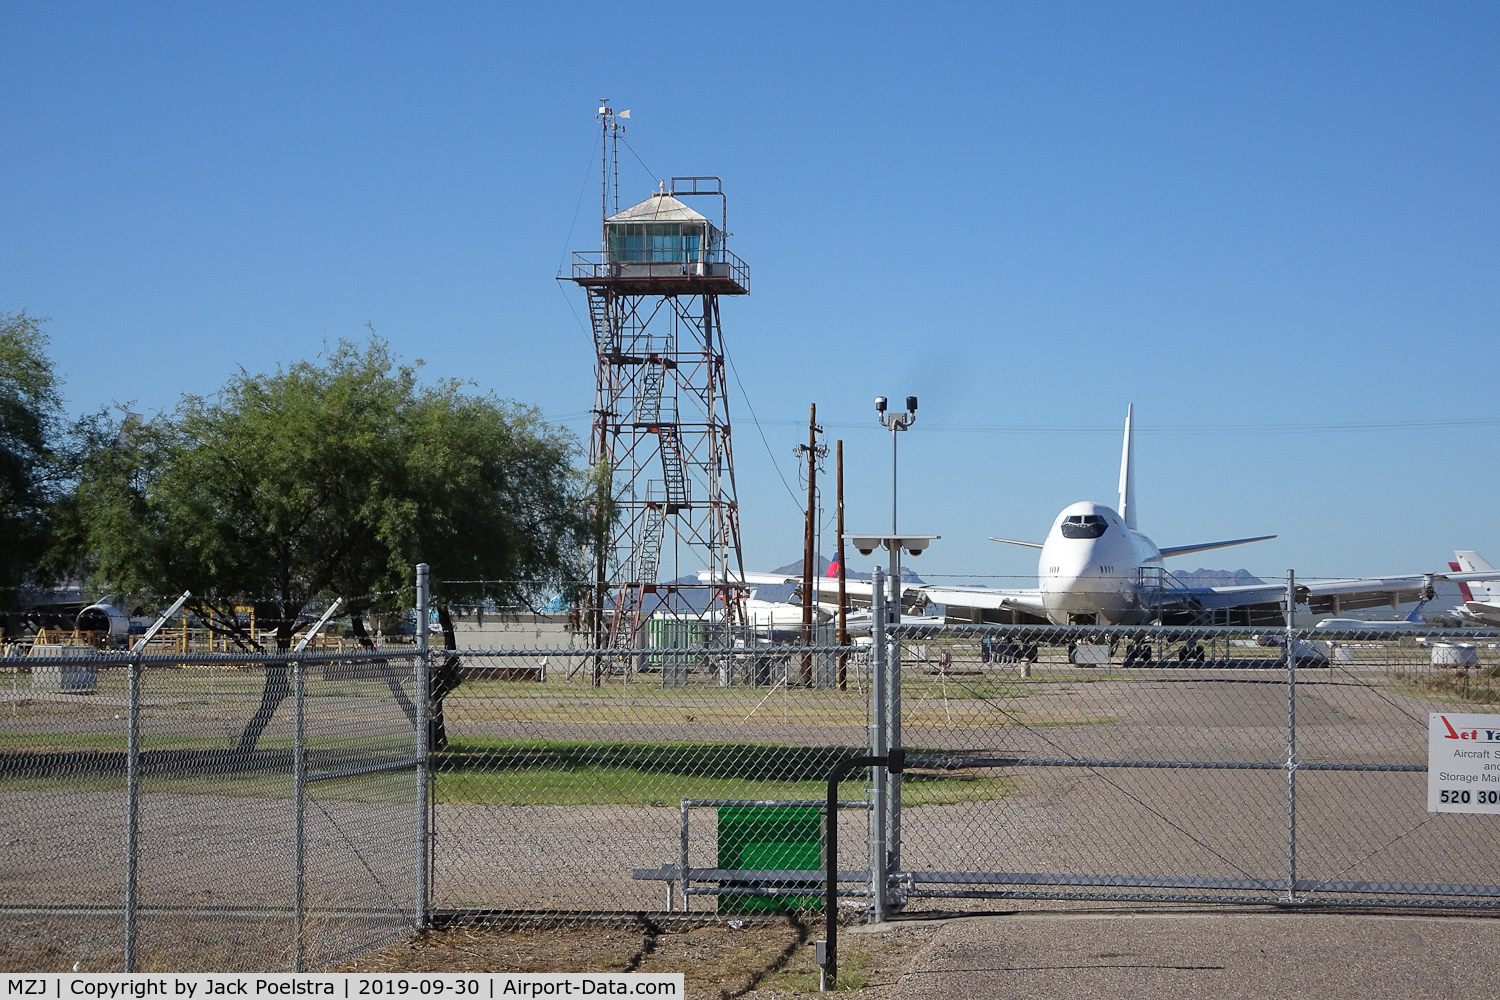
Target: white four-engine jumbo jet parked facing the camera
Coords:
[[1097, 569]]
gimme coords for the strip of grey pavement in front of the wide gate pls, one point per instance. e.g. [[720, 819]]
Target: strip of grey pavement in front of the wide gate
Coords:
[[1207, 956]]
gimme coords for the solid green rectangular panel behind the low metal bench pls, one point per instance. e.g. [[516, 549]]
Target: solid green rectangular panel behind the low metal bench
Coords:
[[772, 839]]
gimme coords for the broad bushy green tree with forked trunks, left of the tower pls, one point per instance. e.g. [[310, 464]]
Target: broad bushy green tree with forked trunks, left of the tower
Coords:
[[329, 481]]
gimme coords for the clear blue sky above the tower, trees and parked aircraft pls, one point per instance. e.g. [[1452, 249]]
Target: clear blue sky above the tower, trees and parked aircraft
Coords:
[[1273, 227]]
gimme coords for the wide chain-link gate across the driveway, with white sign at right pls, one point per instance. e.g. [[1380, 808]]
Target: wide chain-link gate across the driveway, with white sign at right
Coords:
[[1187, 765]]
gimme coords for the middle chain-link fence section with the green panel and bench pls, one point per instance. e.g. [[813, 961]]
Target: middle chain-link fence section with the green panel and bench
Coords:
[[586, 782]]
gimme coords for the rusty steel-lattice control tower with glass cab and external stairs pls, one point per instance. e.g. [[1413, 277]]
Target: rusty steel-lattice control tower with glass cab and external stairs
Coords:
[[661, 430]]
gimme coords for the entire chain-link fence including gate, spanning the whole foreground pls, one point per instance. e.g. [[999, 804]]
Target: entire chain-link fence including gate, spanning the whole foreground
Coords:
[[212, 812]]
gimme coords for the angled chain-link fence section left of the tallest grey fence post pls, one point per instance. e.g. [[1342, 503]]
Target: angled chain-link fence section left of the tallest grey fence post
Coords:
[[209, 812]]
